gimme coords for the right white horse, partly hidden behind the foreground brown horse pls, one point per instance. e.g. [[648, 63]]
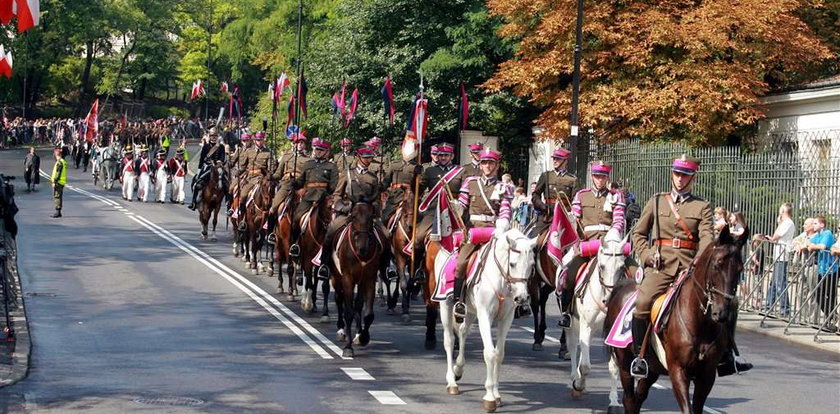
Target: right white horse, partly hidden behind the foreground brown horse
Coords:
[[590, 309]]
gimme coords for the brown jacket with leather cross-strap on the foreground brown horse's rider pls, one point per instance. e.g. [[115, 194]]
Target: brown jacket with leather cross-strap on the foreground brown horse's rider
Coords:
[[697, 215]]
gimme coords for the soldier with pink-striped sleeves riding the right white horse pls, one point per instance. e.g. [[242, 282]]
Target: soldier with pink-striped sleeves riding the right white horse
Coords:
[[598, 209]]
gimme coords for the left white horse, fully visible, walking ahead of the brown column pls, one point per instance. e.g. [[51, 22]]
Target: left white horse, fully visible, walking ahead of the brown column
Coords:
[[502, 285]]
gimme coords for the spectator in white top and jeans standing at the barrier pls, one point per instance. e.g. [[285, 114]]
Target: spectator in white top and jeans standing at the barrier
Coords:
[[782, 237]]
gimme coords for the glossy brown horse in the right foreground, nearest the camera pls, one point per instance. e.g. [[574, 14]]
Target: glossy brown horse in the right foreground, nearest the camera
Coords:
[[696, 334]]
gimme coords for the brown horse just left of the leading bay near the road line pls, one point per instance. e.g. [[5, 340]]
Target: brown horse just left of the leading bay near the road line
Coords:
[[312, 234]]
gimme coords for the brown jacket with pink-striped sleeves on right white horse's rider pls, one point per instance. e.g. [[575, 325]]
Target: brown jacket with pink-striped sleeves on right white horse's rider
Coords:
[[599, 211]]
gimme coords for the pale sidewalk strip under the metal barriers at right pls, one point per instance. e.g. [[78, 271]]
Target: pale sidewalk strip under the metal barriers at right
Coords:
[[796, 334]]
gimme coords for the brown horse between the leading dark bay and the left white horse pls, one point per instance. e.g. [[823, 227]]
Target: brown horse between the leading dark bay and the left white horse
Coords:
[[401, 237]]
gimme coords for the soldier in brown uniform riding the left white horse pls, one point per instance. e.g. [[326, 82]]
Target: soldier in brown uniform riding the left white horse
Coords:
[[488, 202]]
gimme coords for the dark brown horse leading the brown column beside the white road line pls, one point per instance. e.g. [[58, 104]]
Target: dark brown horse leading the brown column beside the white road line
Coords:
[[353, 275]]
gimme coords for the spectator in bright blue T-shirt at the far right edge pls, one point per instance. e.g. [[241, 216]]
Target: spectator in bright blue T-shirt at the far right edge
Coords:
[[822, 242]]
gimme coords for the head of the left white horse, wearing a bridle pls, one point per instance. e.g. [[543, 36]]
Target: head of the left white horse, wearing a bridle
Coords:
[[519, 250]]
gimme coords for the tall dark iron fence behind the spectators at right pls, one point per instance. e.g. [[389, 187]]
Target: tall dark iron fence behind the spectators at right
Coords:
[[801, 168]]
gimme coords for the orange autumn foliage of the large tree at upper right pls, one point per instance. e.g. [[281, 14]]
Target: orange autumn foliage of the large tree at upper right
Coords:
[[660, 70]]
